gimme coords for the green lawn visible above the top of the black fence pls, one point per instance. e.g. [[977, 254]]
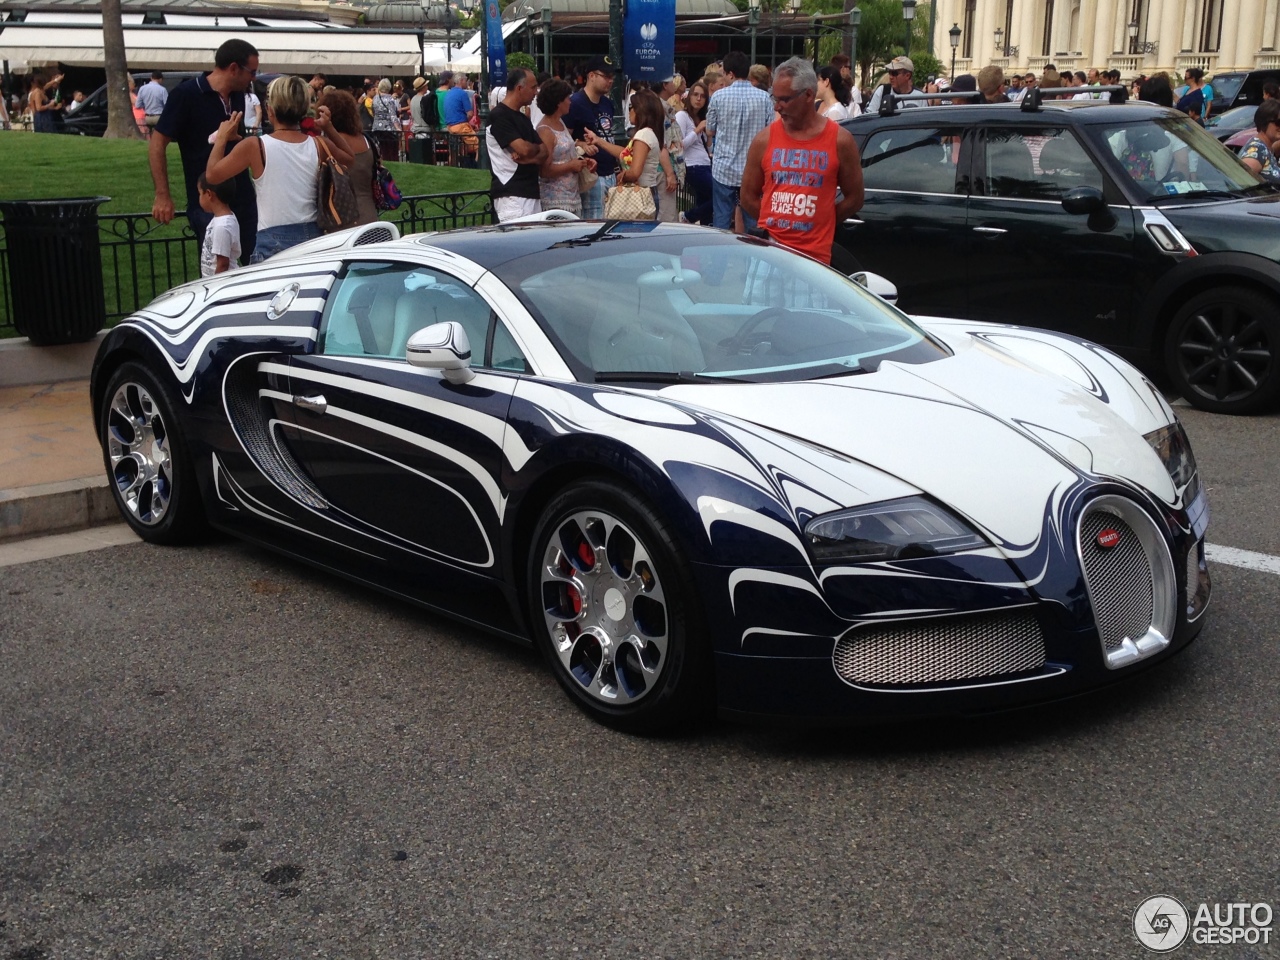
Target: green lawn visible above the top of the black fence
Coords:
[[45, 167]]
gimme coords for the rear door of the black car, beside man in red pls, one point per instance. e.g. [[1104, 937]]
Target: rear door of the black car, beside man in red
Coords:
[[913, 216]]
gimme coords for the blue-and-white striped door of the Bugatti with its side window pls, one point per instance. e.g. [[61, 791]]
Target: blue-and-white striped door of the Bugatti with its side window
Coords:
[[409, 463]]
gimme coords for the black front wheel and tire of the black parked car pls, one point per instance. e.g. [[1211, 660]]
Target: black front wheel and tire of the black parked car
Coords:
[[1222, 351]]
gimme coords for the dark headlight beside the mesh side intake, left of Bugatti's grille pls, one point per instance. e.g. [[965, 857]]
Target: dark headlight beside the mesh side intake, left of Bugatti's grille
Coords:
[[903, 529]]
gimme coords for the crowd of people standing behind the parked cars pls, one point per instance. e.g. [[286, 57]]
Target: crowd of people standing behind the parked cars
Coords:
[[753, 149]]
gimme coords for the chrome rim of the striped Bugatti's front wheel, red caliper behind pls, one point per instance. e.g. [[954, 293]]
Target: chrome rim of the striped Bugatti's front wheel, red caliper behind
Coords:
[[605, 607]]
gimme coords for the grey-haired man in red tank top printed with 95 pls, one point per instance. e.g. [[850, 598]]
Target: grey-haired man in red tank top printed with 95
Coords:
[[796, 166]]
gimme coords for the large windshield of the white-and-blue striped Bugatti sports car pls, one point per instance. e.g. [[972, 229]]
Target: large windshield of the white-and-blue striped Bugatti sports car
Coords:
[[689, 307]]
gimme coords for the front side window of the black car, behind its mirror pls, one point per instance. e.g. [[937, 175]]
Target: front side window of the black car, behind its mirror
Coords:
[[1037, 164]]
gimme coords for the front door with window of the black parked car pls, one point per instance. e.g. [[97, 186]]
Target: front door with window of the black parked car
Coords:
[[1028, 260]]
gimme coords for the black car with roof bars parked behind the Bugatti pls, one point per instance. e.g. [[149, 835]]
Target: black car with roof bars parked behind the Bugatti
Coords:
[[1123, 225]]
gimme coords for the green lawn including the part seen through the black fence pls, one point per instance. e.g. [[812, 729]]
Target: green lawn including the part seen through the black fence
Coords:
[[51, 167]]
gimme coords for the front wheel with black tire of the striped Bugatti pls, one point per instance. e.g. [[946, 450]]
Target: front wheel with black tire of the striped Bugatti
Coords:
[[634, 655]]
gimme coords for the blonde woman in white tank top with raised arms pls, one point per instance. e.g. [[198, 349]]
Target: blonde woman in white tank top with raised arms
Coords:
[[285, 166]]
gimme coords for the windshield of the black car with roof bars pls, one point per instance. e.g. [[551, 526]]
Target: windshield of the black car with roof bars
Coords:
[[1174, 157]]
